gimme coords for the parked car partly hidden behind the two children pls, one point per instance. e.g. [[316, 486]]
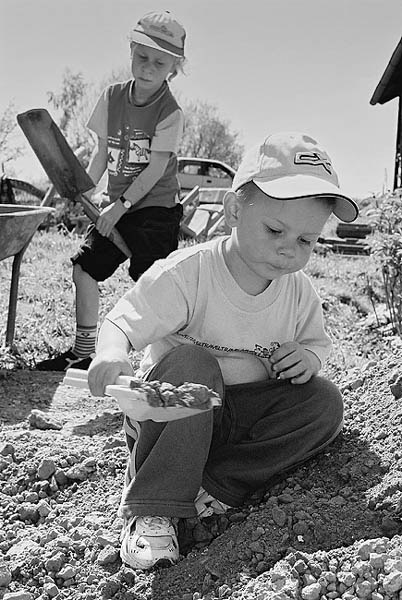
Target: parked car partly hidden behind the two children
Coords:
[[203, 172]]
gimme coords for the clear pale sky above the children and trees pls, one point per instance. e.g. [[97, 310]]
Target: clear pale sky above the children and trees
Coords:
[[267, 65]]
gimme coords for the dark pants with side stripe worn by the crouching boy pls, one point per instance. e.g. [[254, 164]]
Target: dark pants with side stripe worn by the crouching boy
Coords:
[[263, 429]]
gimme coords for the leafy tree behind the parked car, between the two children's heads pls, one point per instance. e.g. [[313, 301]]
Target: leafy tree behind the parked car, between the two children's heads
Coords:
[[207, 135]]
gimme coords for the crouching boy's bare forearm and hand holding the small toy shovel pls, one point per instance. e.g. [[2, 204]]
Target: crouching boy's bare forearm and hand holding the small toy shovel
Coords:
[[111, 358]]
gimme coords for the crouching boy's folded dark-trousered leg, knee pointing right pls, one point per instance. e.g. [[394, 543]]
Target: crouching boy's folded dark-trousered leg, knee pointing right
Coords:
[[268, 428]]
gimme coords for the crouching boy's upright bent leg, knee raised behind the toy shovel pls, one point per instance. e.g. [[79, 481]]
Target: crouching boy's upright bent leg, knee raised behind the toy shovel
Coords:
[[167, 459]]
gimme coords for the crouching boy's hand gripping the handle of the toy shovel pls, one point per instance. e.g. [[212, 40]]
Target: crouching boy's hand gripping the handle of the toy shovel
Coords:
[[105, 368]]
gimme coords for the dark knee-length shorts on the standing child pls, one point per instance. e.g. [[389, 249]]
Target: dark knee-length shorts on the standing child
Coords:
[[150, 233]]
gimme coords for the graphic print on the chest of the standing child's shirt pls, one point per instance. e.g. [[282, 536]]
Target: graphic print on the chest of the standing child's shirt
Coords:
[[128, 152]]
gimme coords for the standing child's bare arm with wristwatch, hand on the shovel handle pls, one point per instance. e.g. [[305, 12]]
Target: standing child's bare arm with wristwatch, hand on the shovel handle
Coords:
[[137, 190]]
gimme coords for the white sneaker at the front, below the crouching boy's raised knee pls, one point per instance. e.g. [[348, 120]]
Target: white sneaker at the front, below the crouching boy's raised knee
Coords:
[[147, 541]]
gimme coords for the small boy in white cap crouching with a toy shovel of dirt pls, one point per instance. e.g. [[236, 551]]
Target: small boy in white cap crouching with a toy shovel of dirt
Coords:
[[238, 315]]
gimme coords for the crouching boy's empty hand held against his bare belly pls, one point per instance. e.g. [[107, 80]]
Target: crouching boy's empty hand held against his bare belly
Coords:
[[292, 361]]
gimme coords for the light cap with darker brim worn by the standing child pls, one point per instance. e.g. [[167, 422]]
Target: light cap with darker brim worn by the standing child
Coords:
[[160, 30]]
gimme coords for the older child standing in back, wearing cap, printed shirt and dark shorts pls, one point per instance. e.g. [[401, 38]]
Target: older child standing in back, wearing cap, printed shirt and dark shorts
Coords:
[[139, 126]]
